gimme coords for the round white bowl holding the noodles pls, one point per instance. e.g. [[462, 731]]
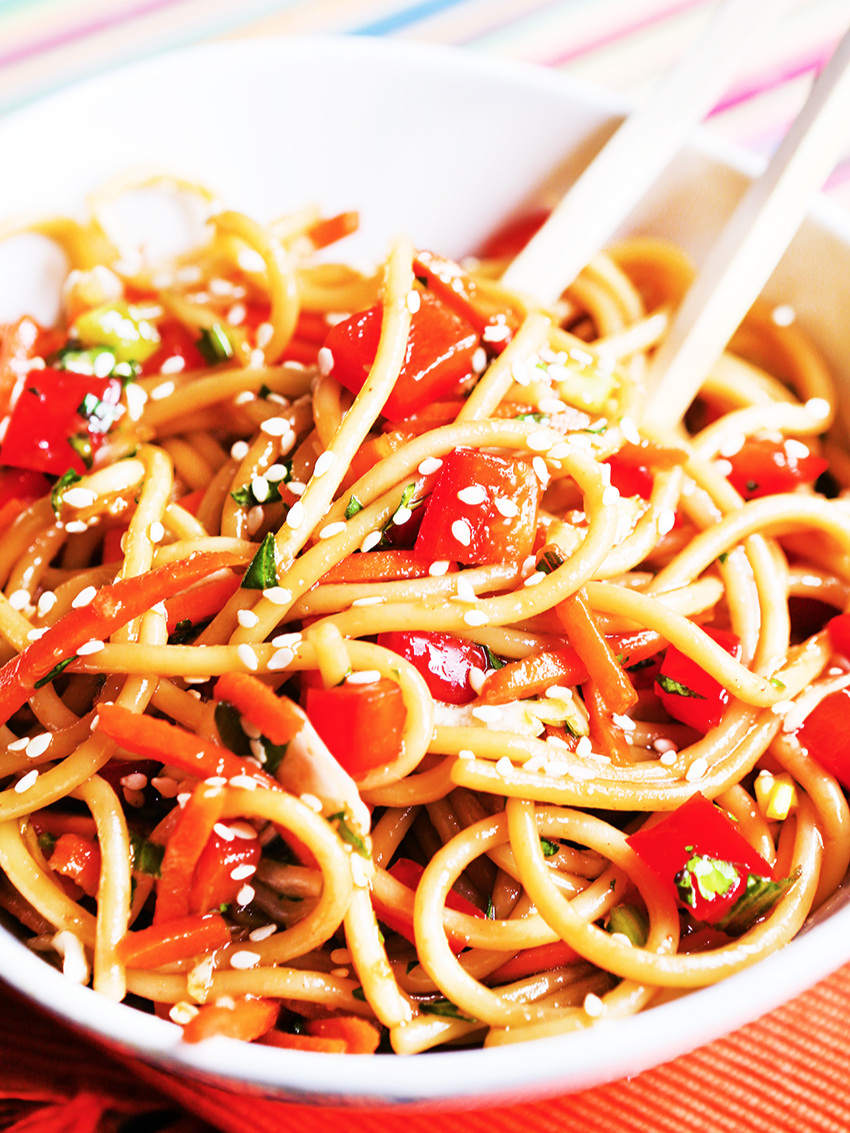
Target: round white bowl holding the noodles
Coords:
[[443, 146]]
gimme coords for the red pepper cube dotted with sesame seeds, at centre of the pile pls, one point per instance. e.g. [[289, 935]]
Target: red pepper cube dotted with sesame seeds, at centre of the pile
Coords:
[[481, 532]]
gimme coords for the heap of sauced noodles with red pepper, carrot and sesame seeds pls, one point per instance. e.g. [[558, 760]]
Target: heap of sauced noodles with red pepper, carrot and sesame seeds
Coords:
[[373, 678]]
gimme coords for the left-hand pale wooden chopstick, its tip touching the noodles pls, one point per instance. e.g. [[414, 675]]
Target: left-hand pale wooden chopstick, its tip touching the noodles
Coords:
[[619, 176]]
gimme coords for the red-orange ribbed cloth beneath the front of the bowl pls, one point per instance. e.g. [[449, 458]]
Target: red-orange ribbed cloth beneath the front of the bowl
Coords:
[[787, 1074]]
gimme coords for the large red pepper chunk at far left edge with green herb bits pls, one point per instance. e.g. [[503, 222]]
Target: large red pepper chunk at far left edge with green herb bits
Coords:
[[59, 421]]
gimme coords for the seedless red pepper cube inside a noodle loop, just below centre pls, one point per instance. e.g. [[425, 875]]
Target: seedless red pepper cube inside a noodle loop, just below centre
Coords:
[[362, 725]]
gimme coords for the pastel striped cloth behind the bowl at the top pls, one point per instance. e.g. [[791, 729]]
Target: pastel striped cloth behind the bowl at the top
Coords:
[[619, 45]]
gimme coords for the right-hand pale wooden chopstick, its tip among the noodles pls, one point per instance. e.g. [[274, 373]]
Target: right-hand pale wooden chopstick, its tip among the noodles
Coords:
[[751, 245]]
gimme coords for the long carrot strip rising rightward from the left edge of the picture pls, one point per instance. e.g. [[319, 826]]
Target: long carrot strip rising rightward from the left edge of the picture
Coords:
[[113, 607]]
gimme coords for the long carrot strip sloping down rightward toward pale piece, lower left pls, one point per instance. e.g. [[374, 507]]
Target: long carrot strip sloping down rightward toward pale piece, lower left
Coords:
[[157, 739]]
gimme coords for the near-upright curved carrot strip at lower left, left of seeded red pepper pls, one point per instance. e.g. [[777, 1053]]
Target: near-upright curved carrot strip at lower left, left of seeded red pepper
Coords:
[[183, 849]]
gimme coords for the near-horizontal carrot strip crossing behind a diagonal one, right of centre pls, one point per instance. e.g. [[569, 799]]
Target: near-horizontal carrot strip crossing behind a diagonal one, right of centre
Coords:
[[535, 674]]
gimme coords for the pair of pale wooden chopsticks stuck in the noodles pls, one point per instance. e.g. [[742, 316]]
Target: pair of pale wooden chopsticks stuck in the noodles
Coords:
[[759, 232]]
